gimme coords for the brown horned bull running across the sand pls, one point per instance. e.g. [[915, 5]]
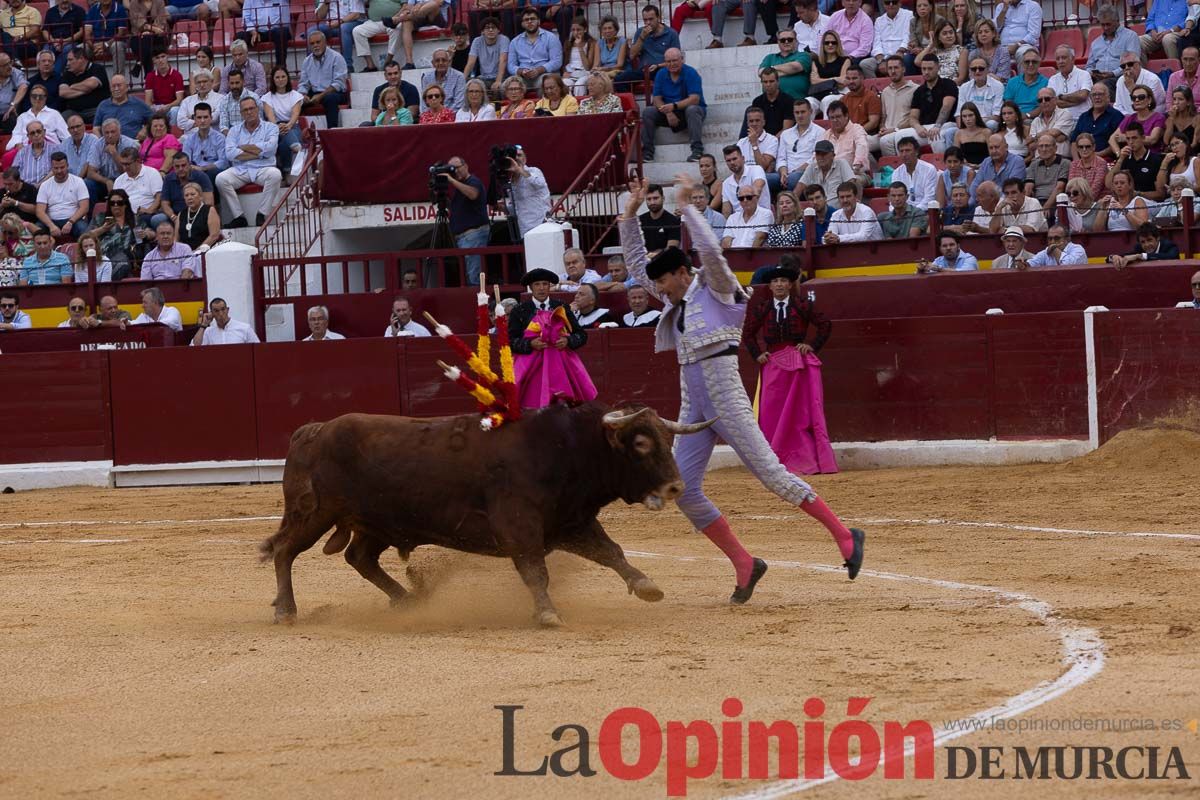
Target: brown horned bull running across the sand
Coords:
[[519, 492]]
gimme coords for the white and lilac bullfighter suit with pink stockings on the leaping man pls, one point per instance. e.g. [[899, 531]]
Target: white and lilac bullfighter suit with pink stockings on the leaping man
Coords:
[[705, 329]]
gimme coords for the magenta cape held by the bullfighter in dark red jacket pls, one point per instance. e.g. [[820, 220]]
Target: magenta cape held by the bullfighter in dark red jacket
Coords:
[[791, 413]]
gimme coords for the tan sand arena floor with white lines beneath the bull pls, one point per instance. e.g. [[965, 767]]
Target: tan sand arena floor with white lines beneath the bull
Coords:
[[140, 660]]
